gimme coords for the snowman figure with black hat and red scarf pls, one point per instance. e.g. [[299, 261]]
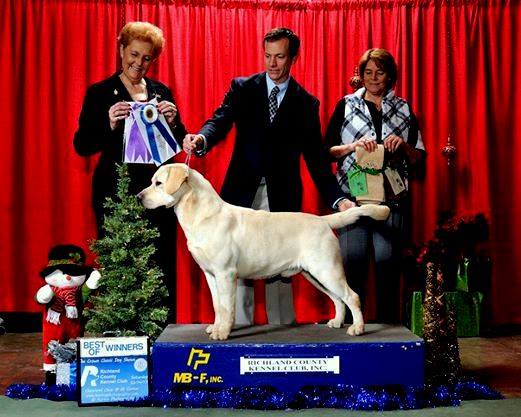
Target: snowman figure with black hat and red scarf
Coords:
[[64, 275]]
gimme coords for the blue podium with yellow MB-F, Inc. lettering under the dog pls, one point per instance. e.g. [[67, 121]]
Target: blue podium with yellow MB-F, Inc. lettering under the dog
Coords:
[[287, 358]]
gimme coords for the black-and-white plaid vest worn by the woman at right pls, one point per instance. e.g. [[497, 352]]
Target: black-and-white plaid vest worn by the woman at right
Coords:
[[396, 119]]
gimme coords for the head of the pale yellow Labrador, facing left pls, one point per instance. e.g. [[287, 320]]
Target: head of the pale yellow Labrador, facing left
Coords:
[[165, 189]]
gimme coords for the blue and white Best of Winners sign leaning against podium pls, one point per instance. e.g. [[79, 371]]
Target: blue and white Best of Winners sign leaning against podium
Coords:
[[112, 370]]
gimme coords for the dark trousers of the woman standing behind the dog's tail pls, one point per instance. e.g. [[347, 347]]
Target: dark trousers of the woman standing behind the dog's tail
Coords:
[[357, 241]]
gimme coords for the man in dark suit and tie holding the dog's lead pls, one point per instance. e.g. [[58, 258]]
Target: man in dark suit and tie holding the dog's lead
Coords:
[[276, 121]]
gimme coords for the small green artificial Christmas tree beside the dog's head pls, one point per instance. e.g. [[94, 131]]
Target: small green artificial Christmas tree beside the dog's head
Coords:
[[132, 296]]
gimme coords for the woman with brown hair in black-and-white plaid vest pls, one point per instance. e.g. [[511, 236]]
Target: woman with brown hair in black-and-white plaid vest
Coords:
[[375, 115]]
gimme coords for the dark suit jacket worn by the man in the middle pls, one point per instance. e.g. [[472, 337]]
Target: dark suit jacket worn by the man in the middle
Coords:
[[271, 150]]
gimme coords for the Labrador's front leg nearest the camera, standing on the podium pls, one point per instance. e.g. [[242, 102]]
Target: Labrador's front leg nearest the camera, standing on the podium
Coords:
[[226, 288]]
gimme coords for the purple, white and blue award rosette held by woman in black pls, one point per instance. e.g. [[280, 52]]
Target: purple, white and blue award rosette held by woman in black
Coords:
[[147, 138]]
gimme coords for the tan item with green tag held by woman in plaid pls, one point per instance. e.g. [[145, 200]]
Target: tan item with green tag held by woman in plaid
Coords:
[[366, 180]]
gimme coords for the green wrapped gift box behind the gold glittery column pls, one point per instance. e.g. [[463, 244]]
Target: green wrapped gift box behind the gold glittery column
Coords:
[[467, 305]]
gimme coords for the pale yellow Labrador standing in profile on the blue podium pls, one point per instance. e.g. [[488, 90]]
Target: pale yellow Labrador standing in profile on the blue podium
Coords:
[[230, 242]]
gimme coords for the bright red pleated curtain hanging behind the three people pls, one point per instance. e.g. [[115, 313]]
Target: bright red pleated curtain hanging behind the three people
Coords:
[[458, 62]]
